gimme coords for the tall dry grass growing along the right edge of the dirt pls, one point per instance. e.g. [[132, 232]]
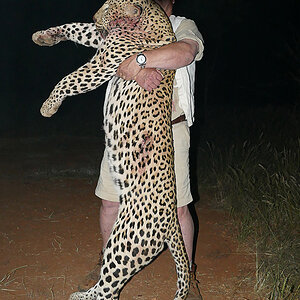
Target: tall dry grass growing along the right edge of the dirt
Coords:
[[254, 169]]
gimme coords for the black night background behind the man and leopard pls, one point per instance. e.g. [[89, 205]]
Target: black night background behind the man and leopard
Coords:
[[251, 59]]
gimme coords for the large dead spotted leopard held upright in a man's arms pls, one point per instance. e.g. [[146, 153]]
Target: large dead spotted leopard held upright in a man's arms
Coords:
[[138, 132]]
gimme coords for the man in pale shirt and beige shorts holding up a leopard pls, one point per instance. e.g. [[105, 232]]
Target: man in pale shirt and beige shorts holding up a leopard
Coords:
[[180, 56]]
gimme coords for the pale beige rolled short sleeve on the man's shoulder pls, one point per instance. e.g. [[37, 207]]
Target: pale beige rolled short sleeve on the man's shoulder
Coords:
[[188, 30]]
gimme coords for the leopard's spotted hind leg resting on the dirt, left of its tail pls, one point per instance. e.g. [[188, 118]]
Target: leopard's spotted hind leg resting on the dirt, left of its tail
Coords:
[[123, 257]]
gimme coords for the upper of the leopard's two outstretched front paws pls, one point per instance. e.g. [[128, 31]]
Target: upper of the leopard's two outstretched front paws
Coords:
[[49, 37]]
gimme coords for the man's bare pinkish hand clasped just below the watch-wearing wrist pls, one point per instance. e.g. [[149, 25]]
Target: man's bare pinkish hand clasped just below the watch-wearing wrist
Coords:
[[149, 79]]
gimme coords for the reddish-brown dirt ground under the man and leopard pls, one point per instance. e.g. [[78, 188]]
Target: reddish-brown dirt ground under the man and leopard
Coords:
[[49, 232]]
